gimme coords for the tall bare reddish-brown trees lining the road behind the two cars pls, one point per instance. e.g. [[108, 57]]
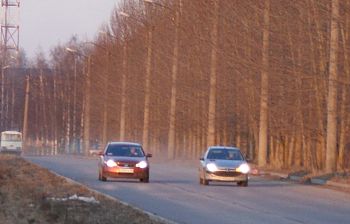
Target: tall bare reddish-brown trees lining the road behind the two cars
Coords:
[[271, 77]]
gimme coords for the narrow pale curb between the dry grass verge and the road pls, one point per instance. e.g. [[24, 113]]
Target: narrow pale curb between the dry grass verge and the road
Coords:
[[151, 215]]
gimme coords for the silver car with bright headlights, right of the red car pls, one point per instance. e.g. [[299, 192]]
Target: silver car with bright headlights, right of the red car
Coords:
[[221, 163]]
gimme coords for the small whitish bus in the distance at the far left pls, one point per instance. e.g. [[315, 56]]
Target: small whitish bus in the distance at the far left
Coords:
[[11, 141]]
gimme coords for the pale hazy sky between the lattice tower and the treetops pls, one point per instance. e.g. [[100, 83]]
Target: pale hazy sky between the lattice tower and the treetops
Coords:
[[45, 23]]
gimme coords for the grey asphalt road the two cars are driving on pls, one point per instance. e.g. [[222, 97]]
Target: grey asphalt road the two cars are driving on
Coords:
[[175, 194]]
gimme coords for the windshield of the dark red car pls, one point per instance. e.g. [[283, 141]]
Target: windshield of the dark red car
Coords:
[[124, 150]]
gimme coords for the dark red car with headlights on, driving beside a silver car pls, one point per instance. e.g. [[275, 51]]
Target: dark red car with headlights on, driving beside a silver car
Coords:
[[124, 160]]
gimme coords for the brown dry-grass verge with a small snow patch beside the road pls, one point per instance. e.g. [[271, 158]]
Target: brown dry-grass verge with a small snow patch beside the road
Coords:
[[31, 194]]
